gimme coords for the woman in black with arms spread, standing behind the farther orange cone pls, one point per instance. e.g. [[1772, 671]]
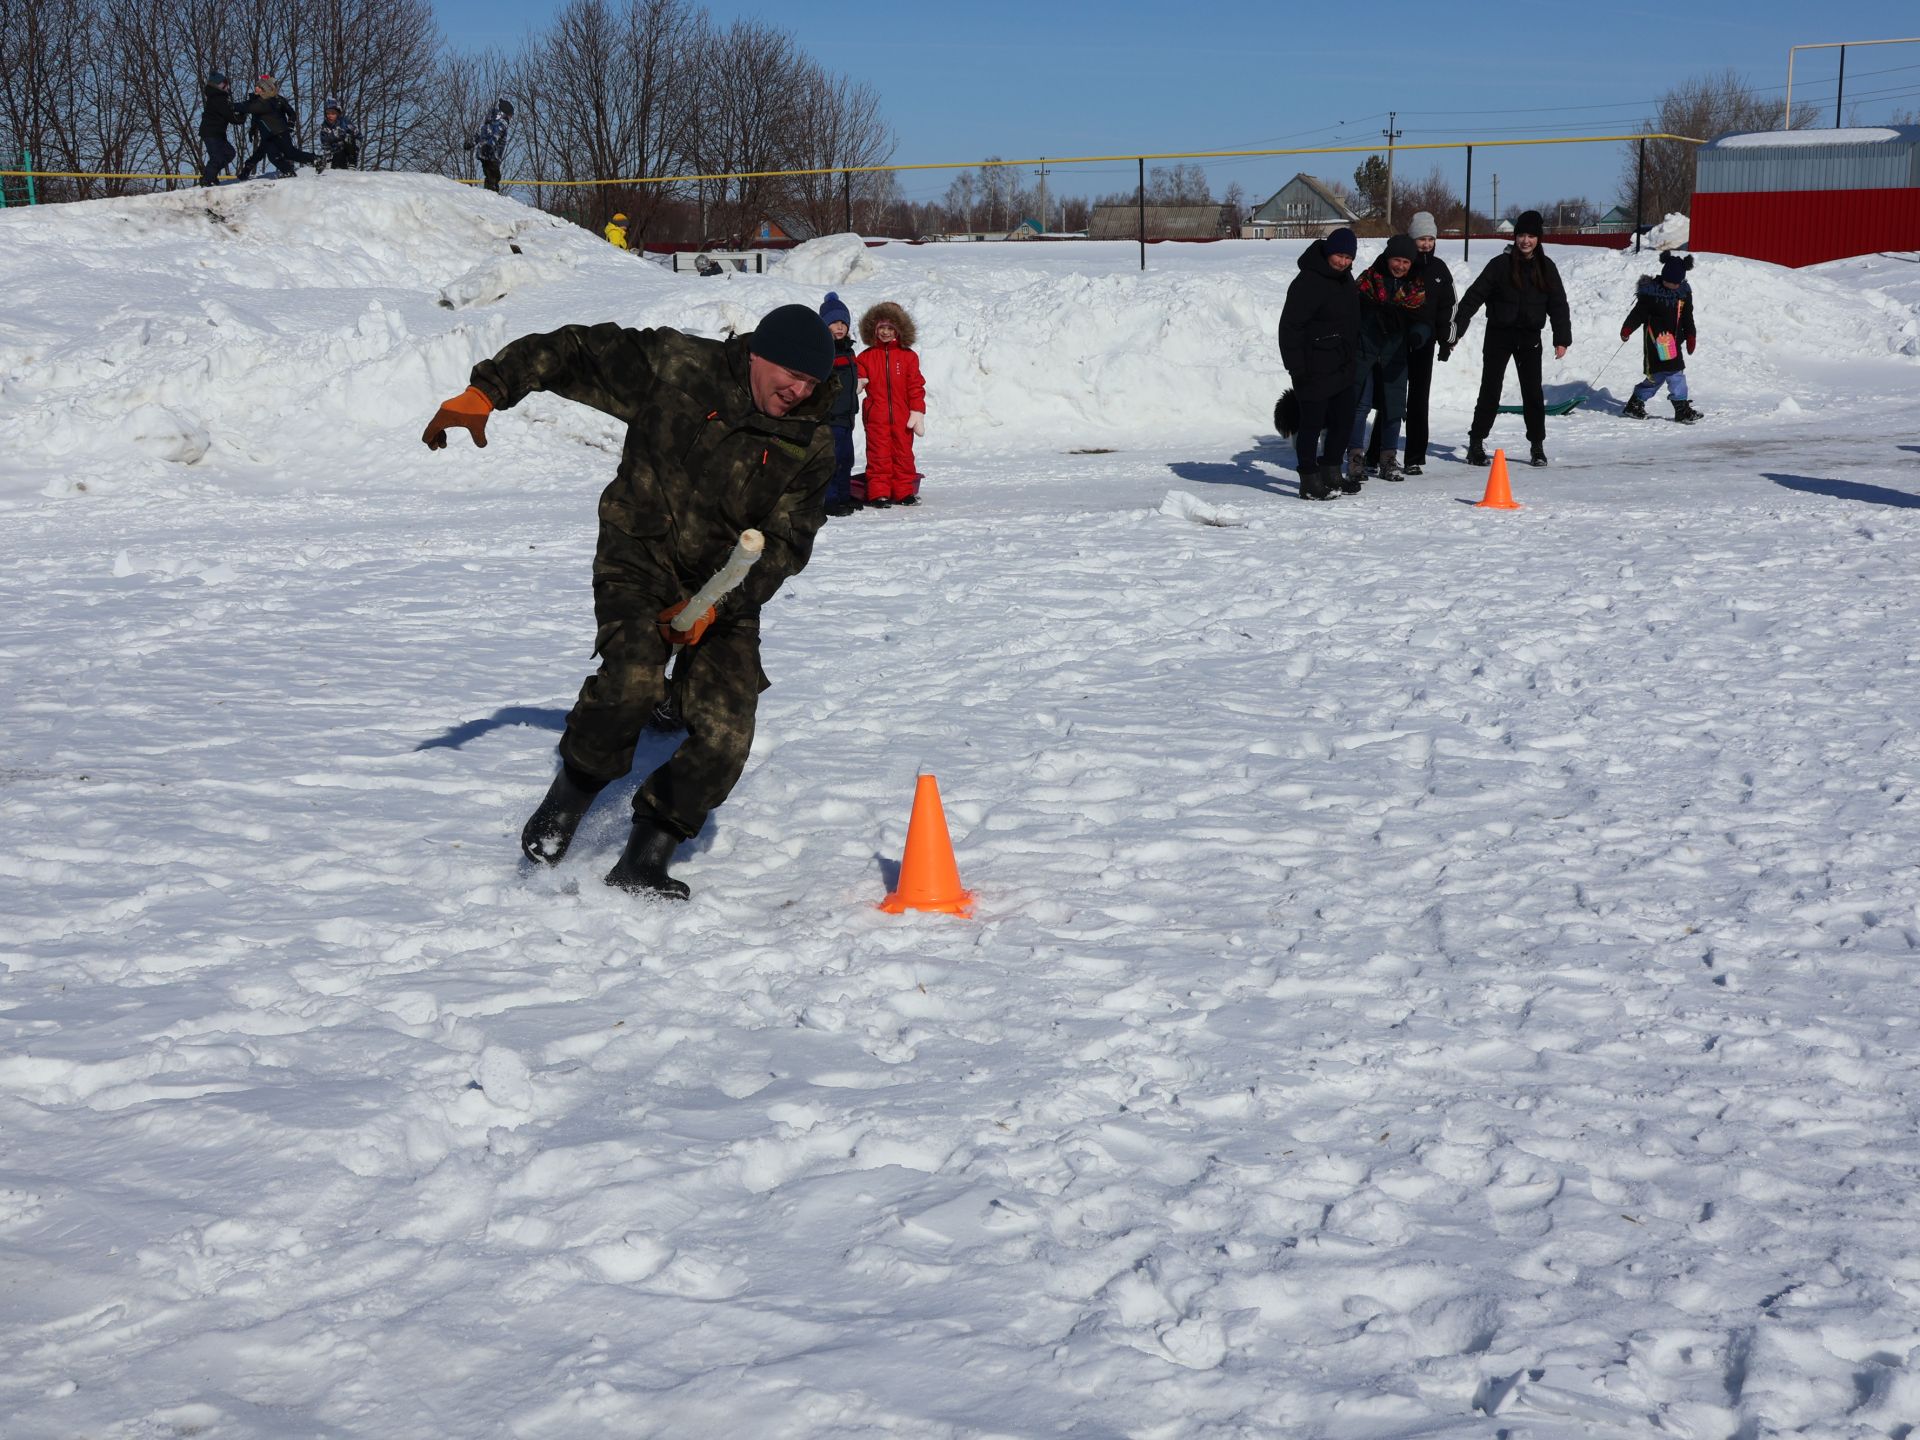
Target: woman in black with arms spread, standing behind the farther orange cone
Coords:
[[1524, 293]]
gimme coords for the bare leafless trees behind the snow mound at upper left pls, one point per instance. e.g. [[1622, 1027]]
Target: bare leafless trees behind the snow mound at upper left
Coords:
[[610, 89]]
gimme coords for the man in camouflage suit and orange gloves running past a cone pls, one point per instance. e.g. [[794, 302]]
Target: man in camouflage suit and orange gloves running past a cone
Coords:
[[723, 437]]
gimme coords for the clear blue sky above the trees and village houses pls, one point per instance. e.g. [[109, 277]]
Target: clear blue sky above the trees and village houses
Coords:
[[996, 78]]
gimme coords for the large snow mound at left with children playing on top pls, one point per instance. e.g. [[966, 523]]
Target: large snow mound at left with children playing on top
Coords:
[[243, 322]]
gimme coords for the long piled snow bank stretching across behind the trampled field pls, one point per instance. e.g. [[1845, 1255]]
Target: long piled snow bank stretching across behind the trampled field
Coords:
[[151, 335]]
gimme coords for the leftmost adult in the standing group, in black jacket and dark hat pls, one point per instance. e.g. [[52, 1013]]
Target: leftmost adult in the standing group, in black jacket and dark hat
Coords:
[[1320, 348]]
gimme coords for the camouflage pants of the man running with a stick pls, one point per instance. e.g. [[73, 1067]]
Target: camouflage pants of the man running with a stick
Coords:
[[719, 686]]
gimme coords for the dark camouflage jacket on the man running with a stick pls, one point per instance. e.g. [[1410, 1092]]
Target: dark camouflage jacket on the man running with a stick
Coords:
[[700, 462]]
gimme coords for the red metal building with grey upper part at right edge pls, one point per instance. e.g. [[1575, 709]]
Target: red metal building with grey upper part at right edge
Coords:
[[1806, 197]]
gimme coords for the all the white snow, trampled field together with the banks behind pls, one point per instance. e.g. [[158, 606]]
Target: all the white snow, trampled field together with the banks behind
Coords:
[[1437, 972]]
